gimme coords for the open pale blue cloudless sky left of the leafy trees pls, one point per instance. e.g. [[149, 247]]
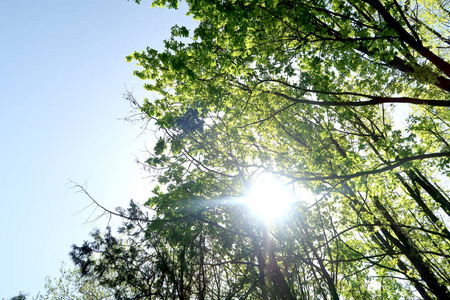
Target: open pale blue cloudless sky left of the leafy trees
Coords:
[[62, 74]]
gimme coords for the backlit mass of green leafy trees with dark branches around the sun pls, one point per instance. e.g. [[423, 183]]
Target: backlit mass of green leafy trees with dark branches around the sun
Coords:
[[304, 90]]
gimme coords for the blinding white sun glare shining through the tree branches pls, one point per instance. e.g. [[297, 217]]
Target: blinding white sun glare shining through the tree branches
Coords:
[[269, 199]]
